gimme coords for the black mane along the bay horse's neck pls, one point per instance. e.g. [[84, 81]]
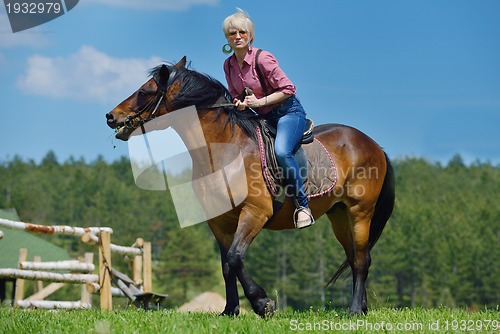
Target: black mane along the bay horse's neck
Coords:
[[201, 90]]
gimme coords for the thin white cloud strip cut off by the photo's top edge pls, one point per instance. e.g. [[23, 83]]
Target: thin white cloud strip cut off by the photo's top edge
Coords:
[[153, 4]]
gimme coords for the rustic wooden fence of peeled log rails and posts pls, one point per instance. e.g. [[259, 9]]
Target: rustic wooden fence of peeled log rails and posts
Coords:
[[138, 288]]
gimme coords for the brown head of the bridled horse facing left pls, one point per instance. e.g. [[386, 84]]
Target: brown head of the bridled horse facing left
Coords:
[[152, 99]]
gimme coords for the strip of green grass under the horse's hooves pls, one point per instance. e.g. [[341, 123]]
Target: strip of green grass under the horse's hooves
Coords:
[[167, 321]]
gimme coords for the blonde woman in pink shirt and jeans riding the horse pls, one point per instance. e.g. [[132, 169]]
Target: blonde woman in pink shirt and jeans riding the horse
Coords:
[[273, 98]]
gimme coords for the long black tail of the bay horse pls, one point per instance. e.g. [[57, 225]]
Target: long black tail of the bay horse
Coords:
[[383, 210]]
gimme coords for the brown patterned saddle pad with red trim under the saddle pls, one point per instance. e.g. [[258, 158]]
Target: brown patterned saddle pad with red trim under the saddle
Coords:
[[321, 172]]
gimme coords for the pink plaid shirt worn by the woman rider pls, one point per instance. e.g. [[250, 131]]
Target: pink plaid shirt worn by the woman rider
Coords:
[[238, 79]]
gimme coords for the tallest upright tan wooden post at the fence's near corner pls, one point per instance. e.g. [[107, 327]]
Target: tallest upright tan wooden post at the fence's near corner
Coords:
[[105, 270]]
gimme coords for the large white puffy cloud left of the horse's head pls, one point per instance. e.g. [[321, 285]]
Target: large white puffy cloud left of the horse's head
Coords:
[[87, 75]]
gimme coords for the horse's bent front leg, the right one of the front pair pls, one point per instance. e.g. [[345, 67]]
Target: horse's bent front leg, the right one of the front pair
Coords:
[[250, 224]]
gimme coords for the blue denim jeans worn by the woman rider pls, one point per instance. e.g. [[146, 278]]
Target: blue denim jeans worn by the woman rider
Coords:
[[290, 121]]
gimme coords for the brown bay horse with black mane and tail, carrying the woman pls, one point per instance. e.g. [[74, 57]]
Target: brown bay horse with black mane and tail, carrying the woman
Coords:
[[357, 217]]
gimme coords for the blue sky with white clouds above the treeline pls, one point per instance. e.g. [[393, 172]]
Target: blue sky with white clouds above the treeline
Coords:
[[420, 77]]
